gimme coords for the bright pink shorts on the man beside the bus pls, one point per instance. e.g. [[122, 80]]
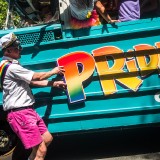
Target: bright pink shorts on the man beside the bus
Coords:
[[28, 126]]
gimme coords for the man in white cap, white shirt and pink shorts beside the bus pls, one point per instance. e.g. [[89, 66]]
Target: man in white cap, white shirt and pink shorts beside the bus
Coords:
[[18, 100]]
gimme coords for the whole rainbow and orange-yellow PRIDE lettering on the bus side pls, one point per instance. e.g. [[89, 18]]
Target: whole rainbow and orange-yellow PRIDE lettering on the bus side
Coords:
[[79, 67]]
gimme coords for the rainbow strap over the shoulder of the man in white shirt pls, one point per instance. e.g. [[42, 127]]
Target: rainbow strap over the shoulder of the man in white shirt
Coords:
[[3, 70]]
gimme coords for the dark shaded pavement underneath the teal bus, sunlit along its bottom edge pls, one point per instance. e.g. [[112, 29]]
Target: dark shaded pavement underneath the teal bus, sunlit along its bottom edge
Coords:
[[118, 145]]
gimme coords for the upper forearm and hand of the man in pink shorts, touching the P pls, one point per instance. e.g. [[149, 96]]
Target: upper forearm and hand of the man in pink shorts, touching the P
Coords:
[[45, 75]]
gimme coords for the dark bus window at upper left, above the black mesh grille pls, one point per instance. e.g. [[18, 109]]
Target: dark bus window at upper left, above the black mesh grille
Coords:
[[35, 12]]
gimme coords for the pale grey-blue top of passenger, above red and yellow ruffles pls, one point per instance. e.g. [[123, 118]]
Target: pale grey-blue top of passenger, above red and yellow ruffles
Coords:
[[80, 8]]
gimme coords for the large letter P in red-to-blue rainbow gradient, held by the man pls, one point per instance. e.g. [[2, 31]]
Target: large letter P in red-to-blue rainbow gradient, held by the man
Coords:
[[73, 77]]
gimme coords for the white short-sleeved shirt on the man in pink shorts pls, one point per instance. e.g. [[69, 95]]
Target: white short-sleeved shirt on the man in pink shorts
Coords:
[[16, 90]]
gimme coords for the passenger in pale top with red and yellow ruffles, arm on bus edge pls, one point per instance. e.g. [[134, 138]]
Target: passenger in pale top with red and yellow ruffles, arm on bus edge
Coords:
[[84, 13]]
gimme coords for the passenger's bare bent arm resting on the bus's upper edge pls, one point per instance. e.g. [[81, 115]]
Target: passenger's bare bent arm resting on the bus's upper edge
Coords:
[[102, 11]]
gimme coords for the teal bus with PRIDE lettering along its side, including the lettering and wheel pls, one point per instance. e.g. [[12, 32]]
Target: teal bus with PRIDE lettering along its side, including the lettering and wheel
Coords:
[[112, 74]]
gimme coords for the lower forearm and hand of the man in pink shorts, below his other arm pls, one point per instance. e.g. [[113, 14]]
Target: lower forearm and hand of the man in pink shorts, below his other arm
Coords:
[[47, 83]]
